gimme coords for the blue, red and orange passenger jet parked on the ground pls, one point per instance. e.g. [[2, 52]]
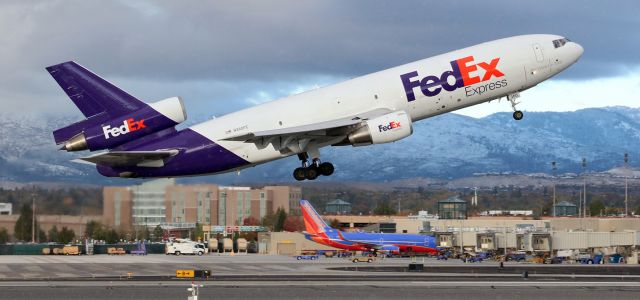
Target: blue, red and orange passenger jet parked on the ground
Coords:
[[319, 232]]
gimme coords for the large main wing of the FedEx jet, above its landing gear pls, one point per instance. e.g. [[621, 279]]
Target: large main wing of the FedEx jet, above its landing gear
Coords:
[[327, 129]]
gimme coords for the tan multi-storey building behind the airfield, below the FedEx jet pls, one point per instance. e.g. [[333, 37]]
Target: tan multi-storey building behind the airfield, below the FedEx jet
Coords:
[[163, 202]]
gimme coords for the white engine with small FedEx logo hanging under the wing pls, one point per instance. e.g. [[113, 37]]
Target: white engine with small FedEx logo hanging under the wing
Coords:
[[384, 129]]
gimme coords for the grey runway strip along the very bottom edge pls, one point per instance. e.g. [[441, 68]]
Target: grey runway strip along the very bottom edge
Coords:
[[326, 290]]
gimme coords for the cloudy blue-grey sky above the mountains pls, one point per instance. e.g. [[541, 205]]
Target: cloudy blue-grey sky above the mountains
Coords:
[[223, 56]]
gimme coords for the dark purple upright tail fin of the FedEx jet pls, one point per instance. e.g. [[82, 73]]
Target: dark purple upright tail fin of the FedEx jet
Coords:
[[97, 99]]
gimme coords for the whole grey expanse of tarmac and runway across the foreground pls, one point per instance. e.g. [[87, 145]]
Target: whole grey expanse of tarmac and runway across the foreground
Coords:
[[282, 277]]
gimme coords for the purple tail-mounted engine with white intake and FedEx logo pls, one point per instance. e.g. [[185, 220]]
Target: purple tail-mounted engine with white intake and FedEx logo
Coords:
[[117, 131]]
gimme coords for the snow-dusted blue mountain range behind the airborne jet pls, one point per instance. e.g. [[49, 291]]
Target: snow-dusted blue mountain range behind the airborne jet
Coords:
[[447, 146]]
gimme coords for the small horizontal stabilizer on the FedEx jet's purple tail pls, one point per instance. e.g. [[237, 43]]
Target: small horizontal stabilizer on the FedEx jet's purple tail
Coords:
[[130, 158]]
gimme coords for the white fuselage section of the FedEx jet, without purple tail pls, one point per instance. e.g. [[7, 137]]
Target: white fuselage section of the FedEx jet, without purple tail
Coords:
[[524, 61]]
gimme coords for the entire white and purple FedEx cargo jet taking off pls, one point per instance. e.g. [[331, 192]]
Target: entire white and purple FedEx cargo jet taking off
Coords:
[[140, 139]]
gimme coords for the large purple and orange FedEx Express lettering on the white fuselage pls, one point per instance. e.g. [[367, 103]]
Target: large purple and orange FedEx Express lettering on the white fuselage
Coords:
[[464, 71]]
